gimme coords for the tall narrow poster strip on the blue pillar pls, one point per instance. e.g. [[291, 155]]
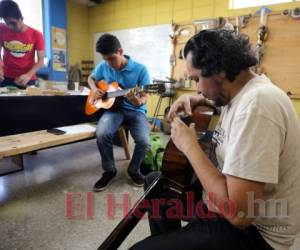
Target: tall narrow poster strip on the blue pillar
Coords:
[[59, 49]]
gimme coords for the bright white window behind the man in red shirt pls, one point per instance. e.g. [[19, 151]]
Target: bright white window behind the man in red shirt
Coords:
[[32, 13]]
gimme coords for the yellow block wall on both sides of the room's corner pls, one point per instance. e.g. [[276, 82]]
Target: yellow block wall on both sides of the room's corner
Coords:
[[124, 14]]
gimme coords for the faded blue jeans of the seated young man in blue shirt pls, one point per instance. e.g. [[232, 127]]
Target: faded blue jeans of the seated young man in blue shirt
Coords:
[[107, 126]]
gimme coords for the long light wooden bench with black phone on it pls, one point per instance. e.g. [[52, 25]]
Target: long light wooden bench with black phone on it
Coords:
[[13, 147]]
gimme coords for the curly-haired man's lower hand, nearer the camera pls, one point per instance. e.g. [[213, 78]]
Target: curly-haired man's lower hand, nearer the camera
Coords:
[[184, 137]]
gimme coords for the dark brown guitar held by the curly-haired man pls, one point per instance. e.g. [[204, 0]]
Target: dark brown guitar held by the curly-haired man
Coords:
[[177, 177]]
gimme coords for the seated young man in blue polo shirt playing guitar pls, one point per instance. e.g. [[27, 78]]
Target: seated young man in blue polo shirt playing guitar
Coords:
[[131, 109]]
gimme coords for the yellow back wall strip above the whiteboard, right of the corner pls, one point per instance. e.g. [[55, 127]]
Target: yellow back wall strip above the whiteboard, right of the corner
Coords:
[[123, 14]]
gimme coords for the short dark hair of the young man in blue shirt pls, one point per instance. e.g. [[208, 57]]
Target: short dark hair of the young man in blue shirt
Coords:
[[108, 44]]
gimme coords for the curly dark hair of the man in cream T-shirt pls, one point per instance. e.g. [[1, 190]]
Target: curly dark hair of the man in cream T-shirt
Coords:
[[214, 51]]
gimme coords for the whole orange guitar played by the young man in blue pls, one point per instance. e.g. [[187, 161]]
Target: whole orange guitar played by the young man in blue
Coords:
[[112, 91]]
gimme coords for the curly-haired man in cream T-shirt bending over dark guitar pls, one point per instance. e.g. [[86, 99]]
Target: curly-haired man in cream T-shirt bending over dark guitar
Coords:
[[256, 162]]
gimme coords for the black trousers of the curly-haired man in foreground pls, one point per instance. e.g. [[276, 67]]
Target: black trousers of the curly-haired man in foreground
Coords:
[[199, 234]]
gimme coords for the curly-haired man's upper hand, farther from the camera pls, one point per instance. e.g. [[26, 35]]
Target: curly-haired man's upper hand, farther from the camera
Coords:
[[183, 103]]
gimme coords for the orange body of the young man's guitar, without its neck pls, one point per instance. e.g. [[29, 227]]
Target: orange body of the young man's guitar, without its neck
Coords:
[[93, 105]]
